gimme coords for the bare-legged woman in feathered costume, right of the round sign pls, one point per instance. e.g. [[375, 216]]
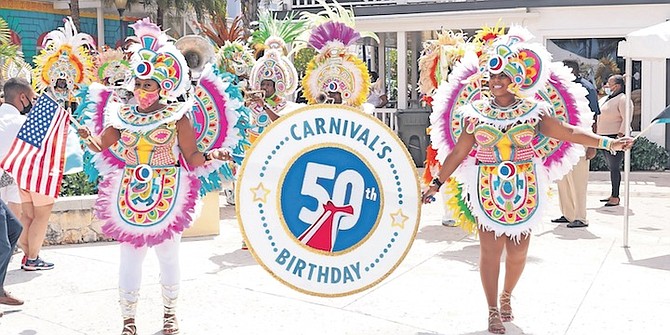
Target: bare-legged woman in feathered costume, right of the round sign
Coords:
[[514, 152]]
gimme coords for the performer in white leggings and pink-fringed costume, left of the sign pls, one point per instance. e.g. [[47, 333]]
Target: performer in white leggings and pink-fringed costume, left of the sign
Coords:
[[152, 199]]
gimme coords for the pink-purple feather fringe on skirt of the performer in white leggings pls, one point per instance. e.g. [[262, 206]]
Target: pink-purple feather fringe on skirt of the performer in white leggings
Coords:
[[181, 215]]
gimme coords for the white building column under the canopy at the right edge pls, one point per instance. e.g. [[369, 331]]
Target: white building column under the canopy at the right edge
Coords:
[[653, 98]]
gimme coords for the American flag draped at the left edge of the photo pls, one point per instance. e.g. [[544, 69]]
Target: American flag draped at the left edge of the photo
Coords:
[[37, 154]]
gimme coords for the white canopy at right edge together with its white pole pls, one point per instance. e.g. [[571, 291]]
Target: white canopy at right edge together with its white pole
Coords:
[[649, 43]]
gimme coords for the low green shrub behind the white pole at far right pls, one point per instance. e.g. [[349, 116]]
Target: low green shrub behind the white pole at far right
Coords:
[[644, 156]]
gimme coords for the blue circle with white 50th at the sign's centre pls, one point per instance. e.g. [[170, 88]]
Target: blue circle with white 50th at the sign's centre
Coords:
[[330, 199]]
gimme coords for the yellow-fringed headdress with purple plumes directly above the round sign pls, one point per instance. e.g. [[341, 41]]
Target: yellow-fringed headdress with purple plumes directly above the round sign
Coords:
[[334, 68]]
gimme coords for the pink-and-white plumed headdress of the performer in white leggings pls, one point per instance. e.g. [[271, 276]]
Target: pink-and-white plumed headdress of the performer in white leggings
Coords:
[[155, 57]]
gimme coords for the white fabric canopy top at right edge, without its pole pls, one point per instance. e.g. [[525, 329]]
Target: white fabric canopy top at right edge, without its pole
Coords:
[[651, 42]]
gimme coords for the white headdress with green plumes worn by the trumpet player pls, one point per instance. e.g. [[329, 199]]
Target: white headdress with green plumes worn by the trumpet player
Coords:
[[273, 37]]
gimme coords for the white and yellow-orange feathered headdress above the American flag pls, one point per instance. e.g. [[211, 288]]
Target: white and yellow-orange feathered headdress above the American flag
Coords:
[[66, 56]]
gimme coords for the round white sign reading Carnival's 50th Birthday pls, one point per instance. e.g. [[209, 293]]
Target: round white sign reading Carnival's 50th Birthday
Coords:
[[328, 200]]
